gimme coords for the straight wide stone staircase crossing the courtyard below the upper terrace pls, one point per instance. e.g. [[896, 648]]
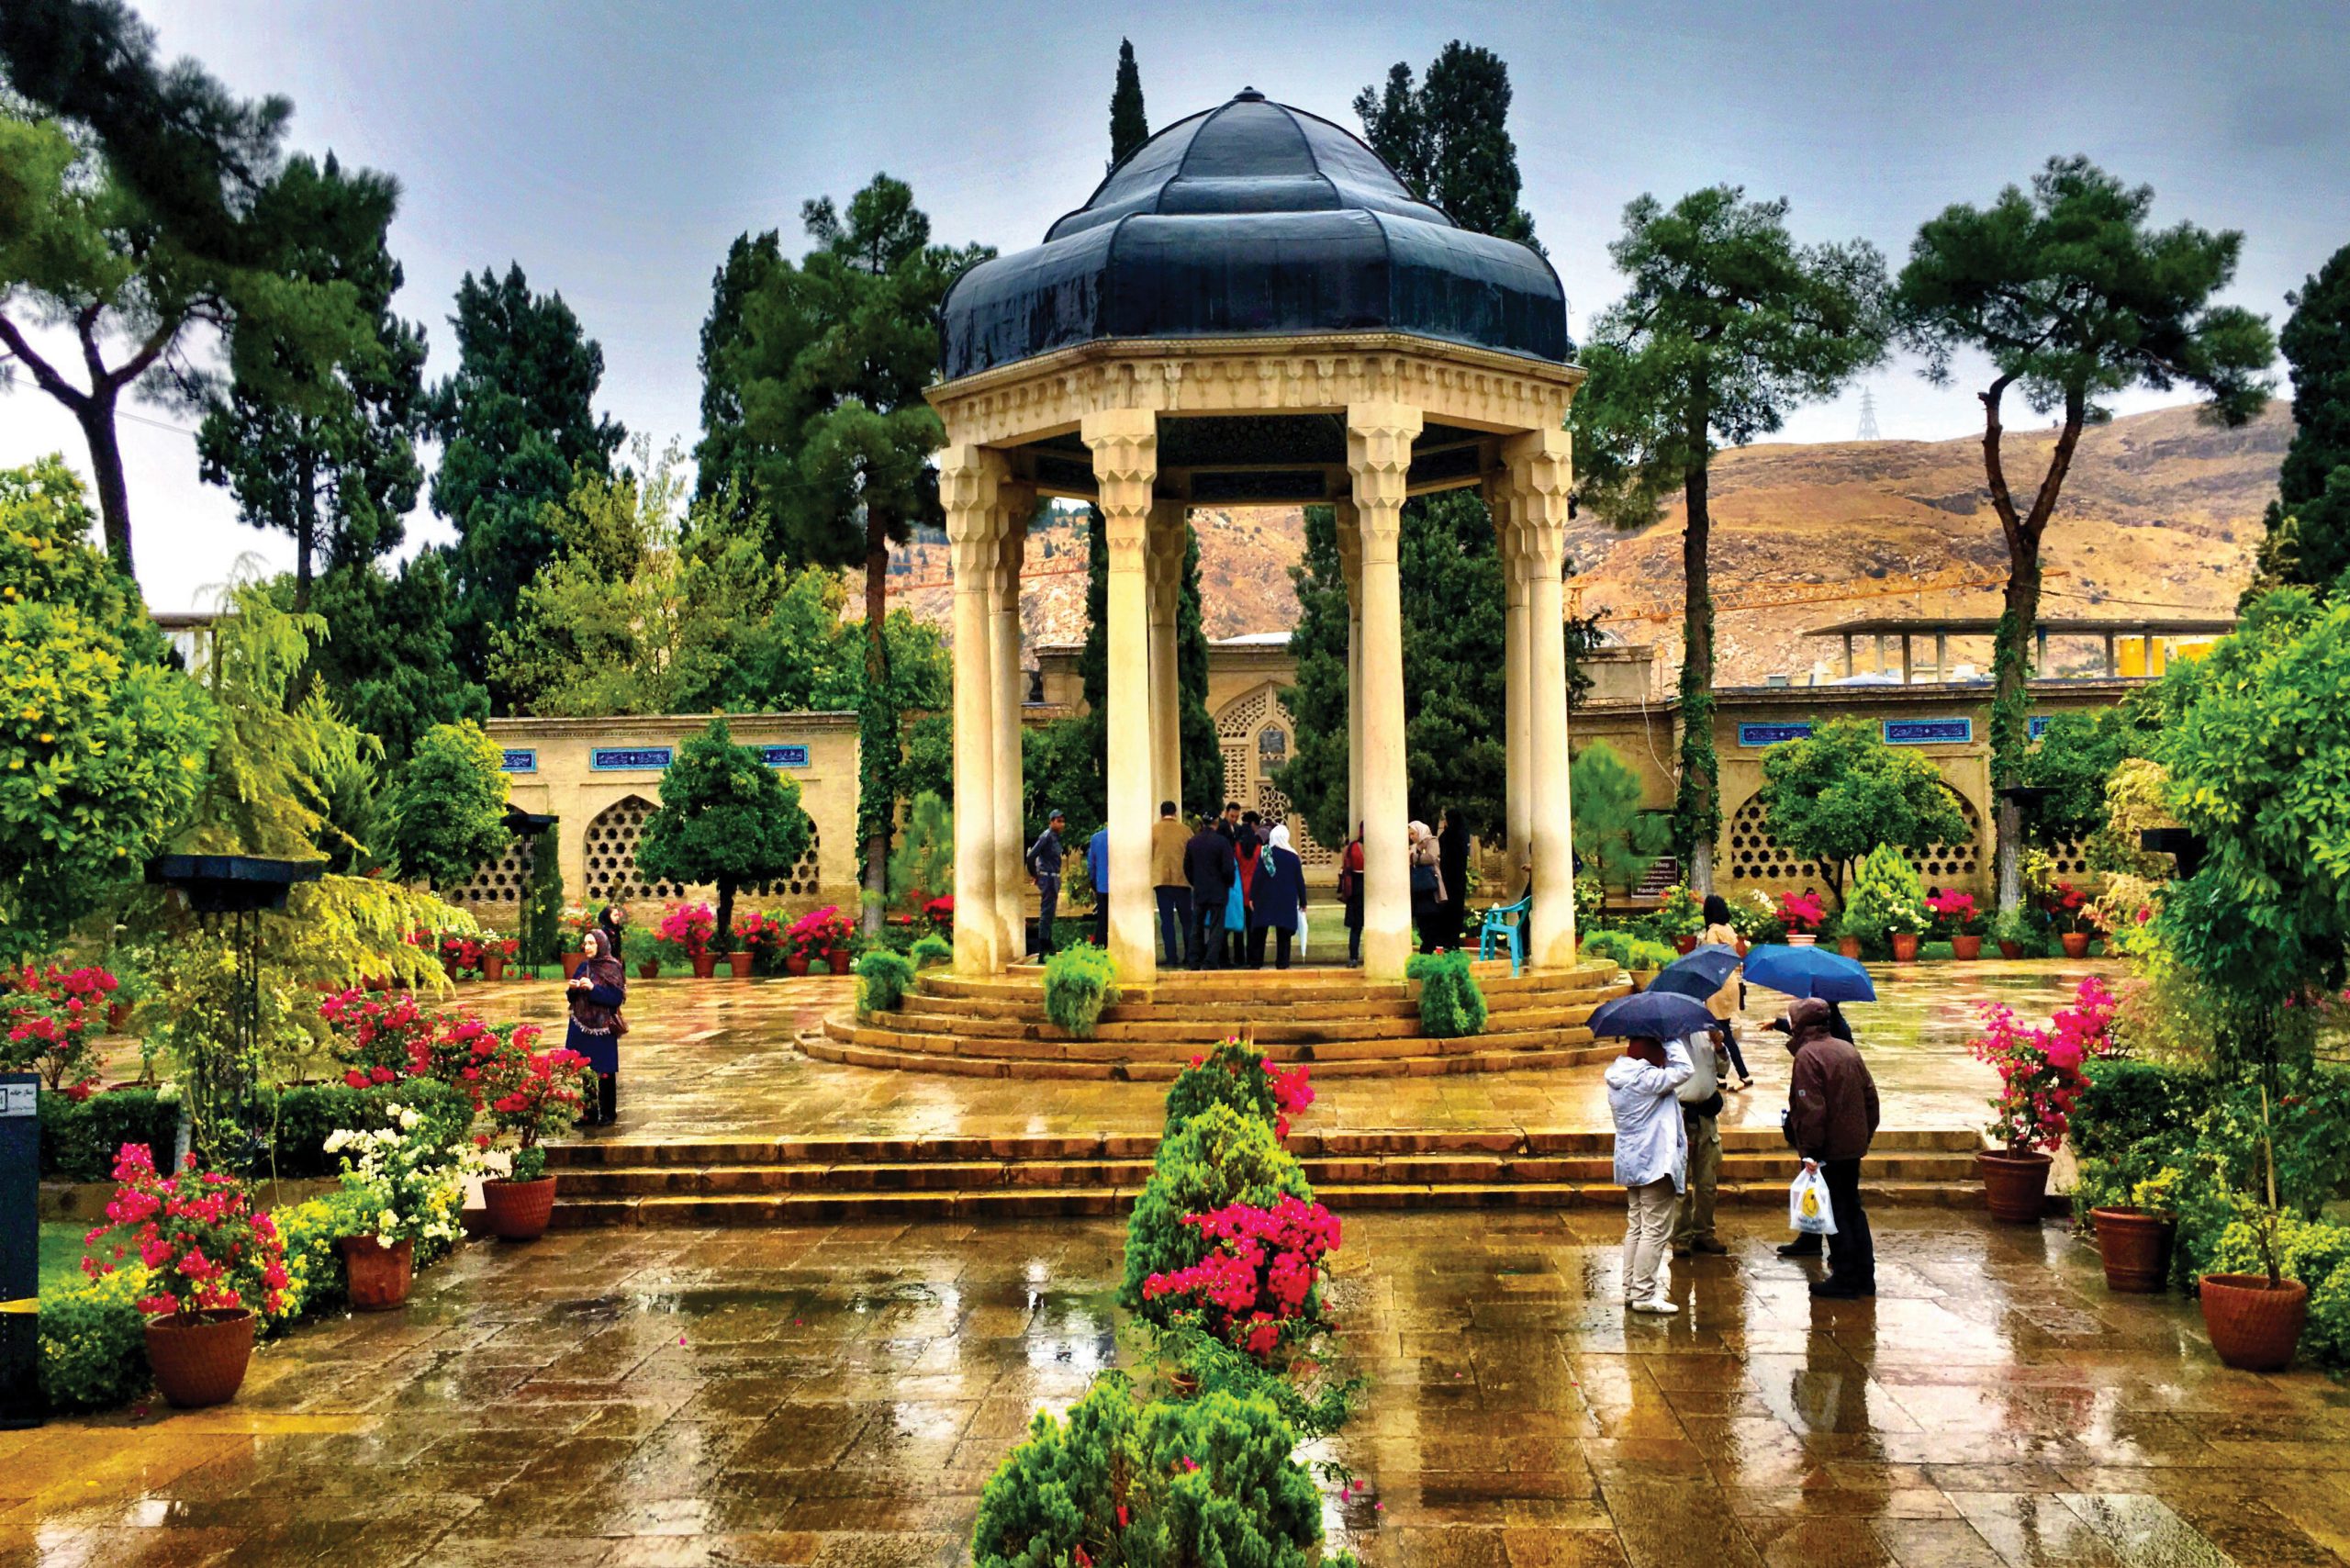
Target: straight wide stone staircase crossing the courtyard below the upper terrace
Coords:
[[803, 1181]]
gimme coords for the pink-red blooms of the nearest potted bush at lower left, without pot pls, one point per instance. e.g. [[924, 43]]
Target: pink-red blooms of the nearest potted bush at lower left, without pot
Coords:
[[203, 1242]]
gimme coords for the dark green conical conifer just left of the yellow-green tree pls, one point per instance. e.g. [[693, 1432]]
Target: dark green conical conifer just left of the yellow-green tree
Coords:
[[516, 427]]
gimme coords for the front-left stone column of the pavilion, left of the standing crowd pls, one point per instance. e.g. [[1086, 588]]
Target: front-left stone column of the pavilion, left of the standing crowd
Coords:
[[1124, 467]]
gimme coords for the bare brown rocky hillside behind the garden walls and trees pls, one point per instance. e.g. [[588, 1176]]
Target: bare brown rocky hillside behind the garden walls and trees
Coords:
[[2161, 516]]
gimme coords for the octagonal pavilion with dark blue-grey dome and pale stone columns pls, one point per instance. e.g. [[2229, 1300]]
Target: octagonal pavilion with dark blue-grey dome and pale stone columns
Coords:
[[1251, 311]]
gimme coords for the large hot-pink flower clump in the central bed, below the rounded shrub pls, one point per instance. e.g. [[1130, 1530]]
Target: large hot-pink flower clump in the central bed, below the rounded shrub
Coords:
[[1258, 1285]]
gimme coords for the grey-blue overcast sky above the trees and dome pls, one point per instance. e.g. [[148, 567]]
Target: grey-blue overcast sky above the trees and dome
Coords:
[[617, 149]]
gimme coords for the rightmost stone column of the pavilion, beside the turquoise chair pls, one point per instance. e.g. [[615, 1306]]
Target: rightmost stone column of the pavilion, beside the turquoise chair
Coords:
[[1538, 485]]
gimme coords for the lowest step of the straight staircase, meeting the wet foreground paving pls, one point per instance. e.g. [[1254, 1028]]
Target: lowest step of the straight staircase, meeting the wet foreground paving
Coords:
[[1042, 1202]]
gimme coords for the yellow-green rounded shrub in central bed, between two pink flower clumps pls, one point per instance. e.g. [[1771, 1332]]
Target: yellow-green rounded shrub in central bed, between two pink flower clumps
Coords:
[[1209, 1162]]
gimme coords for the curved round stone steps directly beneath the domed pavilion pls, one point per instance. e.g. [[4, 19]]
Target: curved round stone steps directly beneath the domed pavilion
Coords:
[[1336, 1019]]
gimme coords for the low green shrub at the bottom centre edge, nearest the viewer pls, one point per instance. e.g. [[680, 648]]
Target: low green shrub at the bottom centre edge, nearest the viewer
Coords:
[[1209, 1480]]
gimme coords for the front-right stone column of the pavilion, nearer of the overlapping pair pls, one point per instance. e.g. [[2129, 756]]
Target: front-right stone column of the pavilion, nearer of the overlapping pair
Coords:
[[1381, 457]]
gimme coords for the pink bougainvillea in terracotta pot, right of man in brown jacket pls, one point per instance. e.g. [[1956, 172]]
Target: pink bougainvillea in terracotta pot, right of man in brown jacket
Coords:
[[2041, 1080]]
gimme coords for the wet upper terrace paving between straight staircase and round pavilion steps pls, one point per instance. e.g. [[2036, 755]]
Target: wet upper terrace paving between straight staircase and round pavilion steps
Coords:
[[716, 1059]]
